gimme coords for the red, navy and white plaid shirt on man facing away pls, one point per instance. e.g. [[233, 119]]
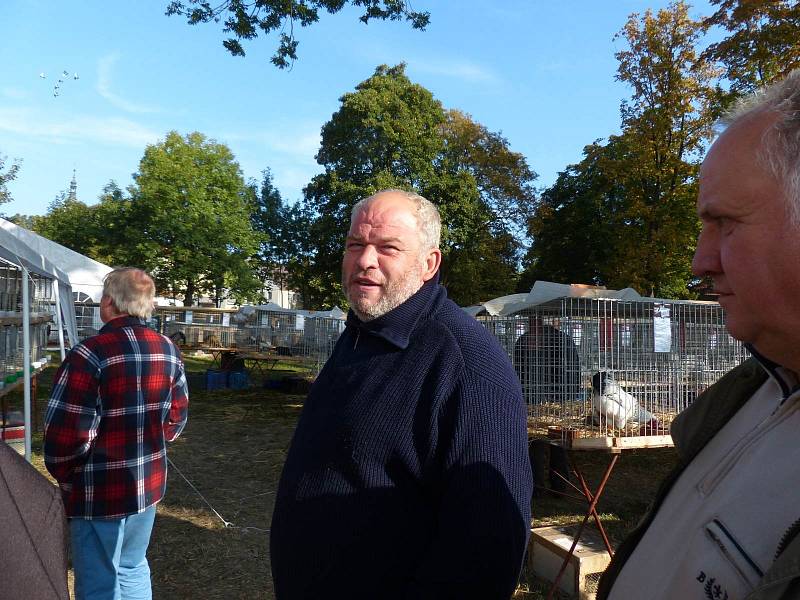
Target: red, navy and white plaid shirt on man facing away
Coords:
[[117, 398]]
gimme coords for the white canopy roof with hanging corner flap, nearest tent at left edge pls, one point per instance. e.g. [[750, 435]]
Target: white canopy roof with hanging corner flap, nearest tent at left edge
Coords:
[[17, 247]]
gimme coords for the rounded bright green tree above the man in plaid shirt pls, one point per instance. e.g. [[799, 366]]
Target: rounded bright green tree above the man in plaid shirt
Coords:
[[190, 219]]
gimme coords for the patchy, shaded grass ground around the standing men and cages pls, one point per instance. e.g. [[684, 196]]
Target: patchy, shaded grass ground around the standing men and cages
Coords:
[[232, 451]]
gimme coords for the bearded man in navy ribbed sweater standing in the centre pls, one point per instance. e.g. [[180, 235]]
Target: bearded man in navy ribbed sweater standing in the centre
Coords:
[[408, 475]]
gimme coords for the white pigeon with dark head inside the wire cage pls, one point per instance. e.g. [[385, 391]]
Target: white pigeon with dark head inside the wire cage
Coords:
[[614, 407]]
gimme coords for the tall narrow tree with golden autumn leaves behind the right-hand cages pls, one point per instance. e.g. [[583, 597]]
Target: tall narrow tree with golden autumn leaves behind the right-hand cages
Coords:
[[666, 124]]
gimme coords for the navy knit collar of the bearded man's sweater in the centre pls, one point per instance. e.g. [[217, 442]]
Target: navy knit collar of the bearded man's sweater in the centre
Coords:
[[398, 324]]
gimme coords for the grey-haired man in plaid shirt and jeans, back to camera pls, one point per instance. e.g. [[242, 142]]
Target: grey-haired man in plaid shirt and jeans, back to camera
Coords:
[[117, 399]]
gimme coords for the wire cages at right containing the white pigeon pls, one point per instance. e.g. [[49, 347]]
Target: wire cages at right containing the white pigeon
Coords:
[[607, 368]]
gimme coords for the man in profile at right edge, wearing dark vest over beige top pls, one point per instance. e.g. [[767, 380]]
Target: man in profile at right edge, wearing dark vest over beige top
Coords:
[[724, 525]]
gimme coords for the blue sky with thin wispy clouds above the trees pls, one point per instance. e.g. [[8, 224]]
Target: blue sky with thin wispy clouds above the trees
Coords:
[[540, 72]]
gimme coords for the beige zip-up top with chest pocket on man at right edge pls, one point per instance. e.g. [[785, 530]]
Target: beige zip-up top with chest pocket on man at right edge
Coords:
[[716, 533]]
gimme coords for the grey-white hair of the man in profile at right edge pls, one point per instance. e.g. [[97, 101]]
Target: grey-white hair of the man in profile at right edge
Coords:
[[780, 143]]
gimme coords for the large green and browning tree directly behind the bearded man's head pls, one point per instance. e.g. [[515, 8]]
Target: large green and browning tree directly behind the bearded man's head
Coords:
[[392, 133]]
